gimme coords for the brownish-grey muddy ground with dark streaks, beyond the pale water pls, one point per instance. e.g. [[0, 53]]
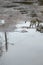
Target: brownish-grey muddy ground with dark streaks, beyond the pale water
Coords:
[[13, 13]]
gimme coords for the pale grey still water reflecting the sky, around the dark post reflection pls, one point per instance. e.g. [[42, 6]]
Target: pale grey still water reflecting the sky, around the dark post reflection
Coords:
[[22, 48]]
